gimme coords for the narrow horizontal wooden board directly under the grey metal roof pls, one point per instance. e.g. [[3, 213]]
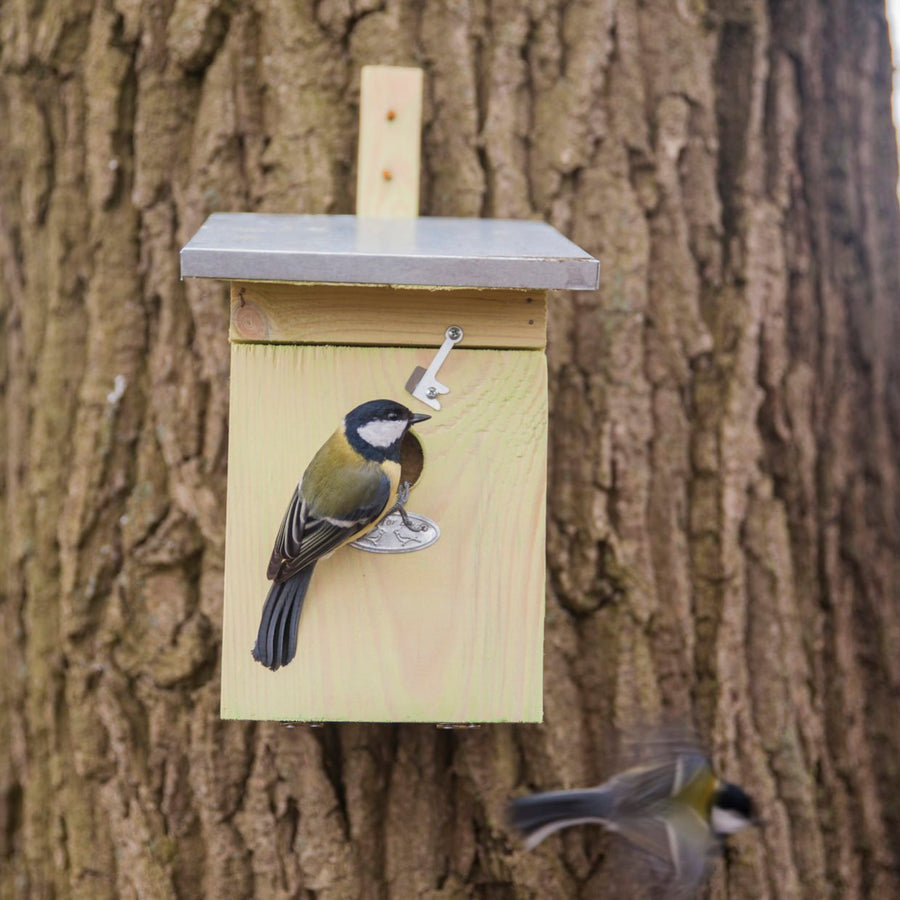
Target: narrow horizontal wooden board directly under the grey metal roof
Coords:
[[386, 315]]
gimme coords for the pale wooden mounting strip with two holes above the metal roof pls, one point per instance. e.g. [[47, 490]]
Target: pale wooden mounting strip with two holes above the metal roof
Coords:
[[390, 123]]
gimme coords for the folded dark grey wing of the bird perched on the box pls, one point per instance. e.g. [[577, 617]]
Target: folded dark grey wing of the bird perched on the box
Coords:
[[305, 537]]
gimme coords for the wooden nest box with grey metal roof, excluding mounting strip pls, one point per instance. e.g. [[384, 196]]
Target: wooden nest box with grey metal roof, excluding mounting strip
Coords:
[[328, 312]]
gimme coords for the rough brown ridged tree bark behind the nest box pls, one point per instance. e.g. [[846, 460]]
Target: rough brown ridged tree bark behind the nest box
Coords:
[[724, 508]]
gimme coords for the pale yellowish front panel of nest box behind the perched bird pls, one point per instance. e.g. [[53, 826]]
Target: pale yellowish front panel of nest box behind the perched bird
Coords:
[[453, 633]]
